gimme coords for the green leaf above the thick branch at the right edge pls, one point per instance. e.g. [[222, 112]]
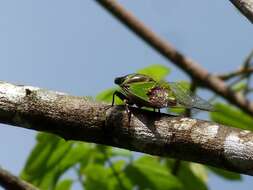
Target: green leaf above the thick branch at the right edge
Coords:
[[231, 116]]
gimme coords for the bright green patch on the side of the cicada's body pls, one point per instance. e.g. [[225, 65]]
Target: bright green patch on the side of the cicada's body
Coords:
[[140, 89]]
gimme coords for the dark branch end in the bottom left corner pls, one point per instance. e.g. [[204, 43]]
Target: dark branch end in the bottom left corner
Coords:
[[9, 181]]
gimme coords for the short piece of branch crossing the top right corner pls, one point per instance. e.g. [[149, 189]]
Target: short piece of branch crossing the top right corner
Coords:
[[245, 7]]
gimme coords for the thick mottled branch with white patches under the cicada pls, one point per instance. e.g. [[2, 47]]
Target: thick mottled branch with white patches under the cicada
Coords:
[[77, 118]]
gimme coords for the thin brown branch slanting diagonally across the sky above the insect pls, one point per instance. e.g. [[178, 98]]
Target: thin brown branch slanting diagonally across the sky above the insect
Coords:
[[189, 66]]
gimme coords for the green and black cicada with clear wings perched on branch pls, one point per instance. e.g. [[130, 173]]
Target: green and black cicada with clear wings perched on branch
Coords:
[[143, 91]]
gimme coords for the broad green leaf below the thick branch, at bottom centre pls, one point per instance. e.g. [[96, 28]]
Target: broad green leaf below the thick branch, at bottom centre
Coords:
[[148, 173]]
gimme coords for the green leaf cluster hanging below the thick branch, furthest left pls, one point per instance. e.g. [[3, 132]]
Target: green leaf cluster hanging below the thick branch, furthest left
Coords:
[[50, 158]]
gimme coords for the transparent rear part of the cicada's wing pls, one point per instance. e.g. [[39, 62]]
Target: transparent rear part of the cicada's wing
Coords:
[[187, 99]]
